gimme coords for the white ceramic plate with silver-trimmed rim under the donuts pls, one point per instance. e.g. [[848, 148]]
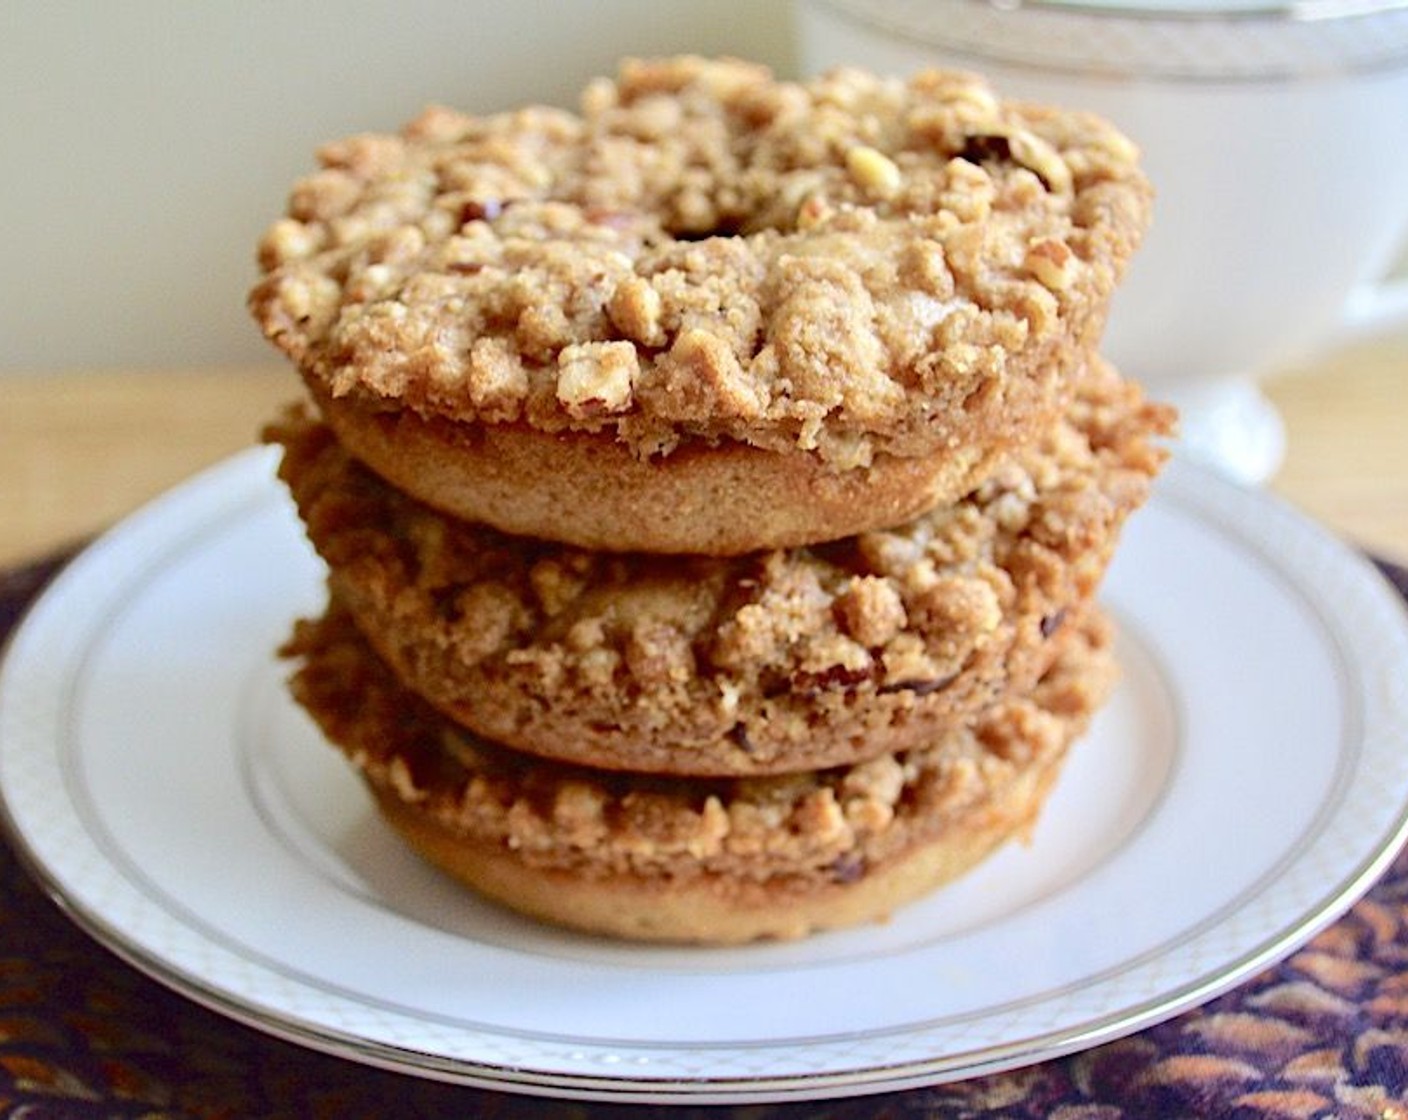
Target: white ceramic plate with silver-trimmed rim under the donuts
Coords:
[[1247, 784]]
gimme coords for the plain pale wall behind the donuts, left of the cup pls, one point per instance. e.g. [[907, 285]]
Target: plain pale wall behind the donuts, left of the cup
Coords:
[[144, 146]]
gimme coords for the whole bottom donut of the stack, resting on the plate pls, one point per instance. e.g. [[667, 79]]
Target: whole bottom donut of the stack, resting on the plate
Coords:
[[703, 861]]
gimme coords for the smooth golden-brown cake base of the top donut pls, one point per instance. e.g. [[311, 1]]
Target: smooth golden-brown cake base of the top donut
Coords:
[[592, 492]]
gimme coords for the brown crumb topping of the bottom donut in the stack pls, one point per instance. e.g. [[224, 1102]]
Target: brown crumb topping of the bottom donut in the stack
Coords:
[[820, 826]]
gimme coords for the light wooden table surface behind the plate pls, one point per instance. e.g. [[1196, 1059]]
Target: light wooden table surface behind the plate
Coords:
[[81, 450]]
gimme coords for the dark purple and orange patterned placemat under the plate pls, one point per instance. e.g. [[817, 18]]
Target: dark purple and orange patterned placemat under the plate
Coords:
[[82, 1035]]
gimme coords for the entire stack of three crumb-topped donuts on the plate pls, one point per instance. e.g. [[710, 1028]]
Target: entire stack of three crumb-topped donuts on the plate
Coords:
[[715, 484]]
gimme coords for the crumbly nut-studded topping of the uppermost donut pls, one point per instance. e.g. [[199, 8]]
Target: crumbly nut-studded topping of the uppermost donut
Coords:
[[703, 257]]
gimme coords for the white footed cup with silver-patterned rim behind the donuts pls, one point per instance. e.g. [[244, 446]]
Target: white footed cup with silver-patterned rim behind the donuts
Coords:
[[1278, 143]]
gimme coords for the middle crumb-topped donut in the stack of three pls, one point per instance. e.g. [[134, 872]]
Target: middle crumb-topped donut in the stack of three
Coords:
[[771, 663]]
